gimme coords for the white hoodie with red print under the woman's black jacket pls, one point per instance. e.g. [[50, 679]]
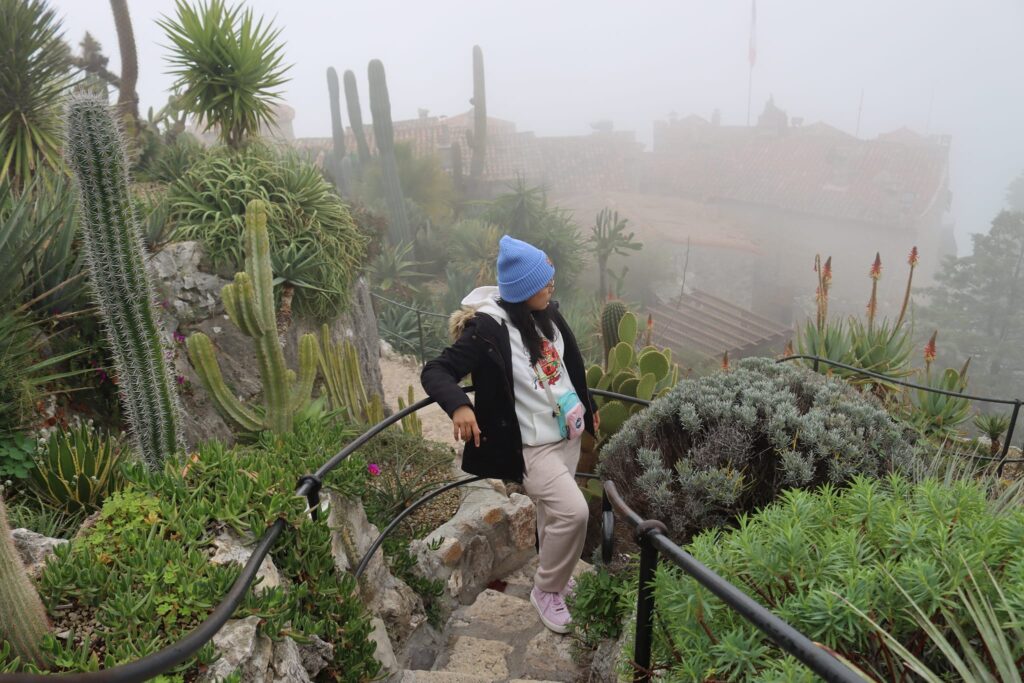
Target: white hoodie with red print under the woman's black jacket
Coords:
[[533, 408]]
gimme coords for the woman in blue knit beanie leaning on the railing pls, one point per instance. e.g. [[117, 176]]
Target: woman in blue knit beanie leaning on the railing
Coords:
[[530, 408]]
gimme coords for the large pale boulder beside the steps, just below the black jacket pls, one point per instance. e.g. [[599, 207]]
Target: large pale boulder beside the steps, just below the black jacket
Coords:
[[491, 536]]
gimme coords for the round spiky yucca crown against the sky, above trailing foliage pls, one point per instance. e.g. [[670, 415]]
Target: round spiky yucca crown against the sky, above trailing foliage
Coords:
[[229, 67]]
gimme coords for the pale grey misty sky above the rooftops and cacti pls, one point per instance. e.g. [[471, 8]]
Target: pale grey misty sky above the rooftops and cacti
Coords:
[[934, 66]]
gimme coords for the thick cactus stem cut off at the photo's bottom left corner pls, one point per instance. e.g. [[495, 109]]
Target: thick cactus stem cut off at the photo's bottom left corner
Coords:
[[23, 618]]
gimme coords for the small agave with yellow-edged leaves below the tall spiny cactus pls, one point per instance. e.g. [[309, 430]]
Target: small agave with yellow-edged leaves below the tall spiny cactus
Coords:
[[78, 468]]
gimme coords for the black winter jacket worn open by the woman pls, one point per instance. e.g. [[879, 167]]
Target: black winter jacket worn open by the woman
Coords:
[[484, 351]]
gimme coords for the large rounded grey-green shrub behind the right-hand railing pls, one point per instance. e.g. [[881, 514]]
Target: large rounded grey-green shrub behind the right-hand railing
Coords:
[[728, 444]]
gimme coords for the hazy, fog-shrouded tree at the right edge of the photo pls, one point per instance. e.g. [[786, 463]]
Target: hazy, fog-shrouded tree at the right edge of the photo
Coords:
[[977, 308]]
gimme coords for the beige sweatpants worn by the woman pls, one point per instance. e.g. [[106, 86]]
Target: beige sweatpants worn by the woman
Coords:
[[562, 510]]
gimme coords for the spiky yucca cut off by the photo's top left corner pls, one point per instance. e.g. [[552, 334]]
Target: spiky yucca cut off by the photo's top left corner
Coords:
[[34, 74]]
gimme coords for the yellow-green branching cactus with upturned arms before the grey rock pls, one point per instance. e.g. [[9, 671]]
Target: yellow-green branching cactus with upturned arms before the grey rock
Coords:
[[249, 303]]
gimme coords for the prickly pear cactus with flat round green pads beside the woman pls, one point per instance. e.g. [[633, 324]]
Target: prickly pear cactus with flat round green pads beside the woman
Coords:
[[645, 374]]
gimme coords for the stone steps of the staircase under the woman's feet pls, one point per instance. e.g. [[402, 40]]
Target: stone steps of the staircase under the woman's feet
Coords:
[[500, 637]]
